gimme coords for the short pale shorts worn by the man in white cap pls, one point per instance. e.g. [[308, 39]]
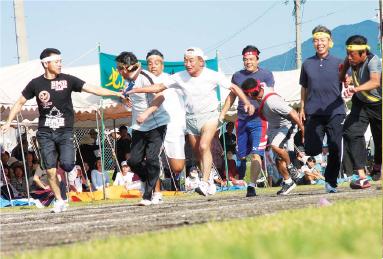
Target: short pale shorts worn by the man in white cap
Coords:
[[195, 122]]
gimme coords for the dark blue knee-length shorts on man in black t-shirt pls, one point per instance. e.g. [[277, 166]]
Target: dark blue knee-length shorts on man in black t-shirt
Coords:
[[56, 144]]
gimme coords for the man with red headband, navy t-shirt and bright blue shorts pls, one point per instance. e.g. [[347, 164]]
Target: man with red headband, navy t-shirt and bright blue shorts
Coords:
[[251, 129]]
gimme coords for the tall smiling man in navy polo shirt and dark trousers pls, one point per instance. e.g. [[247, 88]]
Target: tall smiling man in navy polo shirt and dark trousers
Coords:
[[322, 107]]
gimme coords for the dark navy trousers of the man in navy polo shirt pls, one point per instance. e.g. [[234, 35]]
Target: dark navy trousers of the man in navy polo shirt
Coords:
[[315, 128]]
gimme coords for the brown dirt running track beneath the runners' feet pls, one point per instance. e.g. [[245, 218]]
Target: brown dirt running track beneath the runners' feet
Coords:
[[34, 229]]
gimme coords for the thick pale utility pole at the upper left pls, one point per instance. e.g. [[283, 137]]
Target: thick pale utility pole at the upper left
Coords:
[[21, 35]]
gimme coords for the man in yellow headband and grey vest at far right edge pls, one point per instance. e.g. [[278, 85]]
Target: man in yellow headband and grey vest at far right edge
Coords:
[[366, 107]]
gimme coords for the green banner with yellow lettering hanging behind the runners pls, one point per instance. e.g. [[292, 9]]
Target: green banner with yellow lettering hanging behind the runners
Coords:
[[111, 79]]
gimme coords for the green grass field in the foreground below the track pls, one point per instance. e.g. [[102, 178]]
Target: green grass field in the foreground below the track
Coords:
[[347, 229]]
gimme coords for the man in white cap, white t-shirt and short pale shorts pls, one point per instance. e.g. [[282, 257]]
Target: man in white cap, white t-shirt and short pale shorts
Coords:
[[198, 86]]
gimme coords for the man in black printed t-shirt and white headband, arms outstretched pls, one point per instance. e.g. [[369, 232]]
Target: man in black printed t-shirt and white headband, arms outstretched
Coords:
[[53, 92]]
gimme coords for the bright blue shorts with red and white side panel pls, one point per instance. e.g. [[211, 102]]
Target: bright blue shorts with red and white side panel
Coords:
[[251, 137]]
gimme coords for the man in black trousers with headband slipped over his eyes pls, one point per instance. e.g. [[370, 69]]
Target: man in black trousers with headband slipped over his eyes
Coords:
[[147, 137]]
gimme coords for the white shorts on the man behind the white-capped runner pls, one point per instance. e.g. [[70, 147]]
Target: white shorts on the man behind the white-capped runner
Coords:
[[174, 143]]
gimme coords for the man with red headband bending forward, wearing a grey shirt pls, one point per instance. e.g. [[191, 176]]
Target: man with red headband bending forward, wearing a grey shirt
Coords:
[[282, 120]]
